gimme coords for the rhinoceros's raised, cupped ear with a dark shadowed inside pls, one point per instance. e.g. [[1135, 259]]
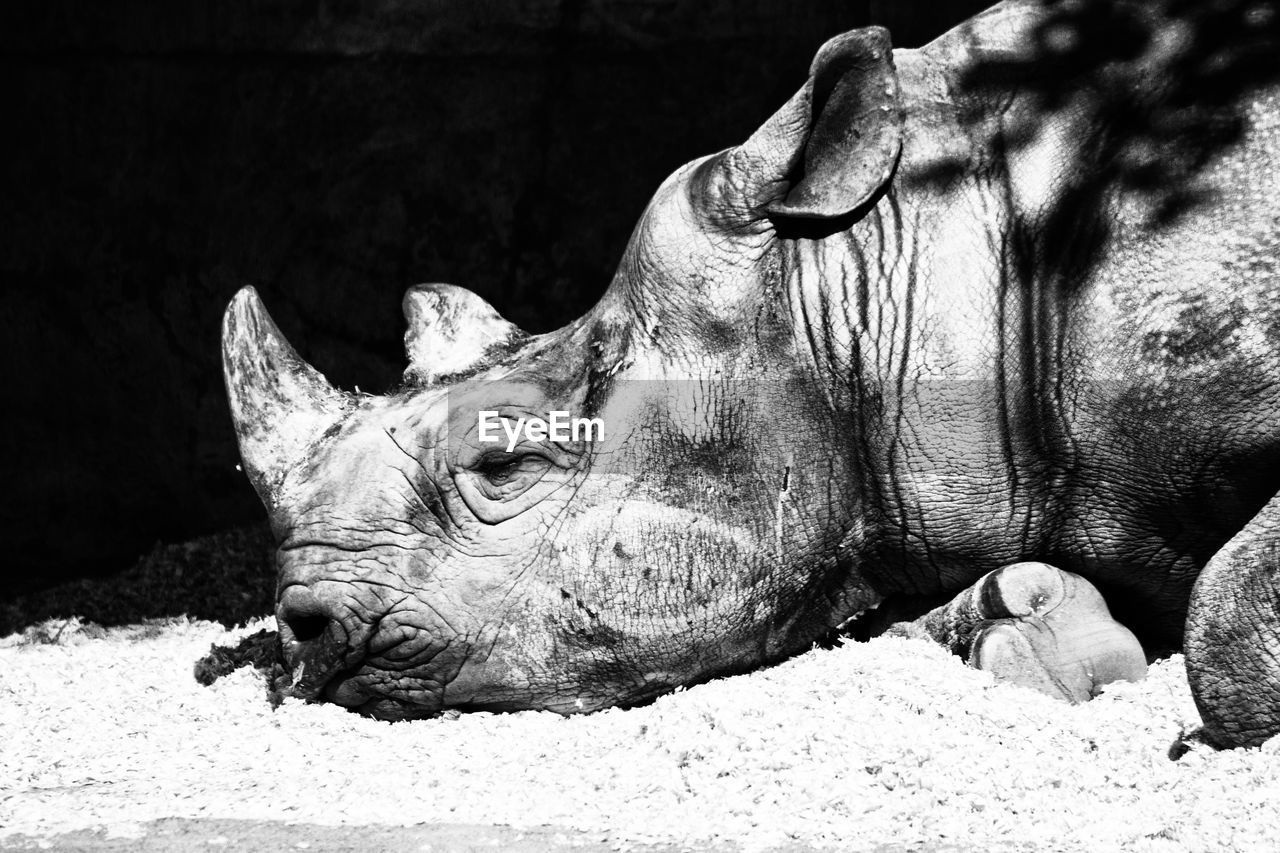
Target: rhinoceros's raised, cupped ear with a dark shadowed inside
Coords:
[[835, 144]]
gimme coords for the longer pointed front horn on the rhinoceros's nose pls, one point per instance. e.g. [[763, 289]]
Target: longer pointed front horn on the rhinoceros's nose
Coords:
[[281, 405]]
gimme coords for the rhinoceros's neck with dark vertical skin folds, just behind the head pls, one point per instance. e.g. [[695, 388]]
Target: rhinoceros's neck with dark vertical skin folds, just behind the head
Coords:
[[952, 380]]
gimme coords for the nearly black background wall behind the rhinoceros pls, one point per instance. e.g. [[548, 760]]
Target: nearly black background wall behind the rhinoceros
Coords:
[[332, 153]]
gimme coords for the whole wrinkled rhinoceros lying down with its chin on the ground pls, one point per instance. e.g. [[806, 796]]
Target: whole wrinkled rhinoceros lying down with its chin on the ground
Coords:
[[918, 341]]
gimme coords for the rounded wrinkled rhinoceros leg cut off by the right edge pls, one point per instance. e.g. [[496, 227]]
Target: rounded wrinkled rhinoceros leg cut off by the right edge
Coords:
[[1233, 636]]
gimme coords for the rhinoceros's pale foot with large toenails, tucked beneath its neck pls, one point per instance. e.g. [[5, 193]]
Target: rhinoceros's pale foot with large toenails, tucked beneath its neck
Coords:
[[1039, 627]]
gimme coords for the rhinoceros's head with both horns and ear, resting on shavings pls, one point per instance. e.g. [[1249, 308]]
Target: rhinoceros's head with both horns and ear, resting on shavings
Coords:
[[701, 521]]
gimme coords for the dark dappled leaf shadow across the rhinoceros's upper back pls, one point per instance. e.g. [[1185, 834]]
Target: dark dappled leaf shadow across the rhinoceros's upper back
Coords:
[[1159, 89]]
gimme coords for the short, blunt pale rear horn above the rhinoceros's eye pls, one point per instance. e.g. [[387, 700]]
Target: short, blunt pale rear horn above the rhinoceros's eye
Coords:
[[451, 331]]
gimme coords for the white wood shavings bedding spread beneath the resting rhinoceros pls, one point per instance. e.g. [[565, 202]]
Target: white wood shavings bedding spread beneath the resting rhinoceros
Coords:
[[885, 742]]
